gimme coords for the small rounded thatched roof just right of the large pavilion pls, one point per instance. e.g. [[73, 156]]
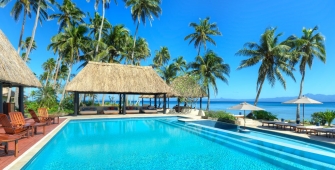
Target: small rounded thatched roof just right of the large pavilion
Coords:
[[187, 86]]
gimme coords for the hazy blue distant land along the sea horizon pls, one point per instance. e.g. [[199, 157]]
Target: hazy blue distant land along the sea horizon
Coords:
[[318, 97]]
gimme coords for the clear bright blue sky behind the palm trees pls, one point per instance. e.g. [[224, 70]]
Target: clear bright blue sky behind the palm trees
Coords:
[[239, 21]]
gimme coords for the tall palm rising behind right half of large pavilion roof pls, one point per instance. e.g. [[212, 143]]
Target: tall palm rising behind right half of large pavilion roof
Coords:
[[142, 10]]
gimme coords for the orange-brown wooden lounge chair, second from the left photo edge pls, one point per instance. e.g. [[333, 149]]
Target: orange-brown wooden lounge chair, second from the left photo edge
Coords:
[[17, 117]]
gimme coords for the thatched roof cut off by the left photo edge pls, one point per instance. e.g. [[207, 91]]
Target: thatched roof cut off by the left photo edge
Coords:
[[14, 71]]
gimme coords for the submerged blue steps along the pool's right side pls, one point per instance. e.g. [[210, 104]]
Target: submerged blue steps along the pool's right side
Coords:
[[246, 145]]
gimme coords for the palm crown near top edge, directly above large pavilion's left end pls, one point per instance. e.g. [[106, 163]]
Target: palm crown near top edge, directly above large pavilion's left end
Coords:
[[68, 13]]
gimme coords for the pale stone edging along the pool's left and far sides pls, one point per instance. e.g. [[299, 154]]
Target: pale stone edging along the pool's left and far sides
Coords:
[[23, 159]]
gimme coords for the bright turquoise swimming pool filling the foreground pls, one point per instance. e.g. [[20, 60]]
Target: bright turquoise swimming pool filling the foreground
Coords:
[[161, 143]]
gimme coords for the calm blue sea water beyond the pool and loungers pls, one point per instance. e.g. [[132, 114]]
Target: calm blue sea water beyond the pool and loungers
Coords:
[[286, 111]]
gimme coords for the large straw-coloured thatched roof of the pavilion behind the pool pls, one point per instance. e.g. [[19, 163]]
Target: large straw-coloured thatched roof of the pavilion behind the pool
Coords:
[[116, 78]]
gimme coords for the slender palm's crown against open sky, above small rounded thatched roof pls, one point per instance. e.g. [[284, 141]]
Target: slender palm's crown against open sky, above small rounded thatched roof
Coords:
[[202, 33]]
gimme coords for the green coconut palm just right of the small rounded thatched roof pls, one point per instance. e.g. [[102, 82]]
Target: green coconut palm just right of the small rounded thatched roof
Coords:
[[209, 68]]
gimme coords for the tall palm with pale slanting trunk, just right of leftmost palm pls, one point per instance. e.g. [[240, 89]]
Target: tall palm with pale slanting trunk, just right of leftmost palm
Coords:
[[40, 14]]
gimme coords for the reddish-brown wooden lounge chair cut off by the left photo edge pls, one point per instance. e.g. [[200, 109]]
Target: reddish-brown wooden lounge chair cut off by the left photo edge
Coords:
[[12, 128]]
